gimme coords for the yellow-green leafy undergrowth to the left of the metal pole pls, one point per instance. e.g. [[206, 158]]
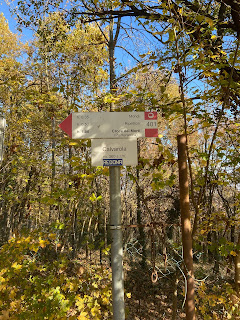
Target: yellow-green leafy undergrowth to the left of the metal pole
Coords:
[[40, 282]]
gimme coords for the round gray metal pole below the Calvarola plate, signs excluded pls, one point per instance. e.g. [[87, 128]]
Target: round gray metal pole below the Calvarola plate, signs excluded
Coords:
[[117, 246]]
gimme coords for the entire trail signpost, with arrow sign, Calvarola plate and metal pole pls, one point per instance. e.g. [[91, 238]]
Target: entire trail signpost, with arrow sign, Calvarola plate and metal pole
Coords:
[[114, 144]]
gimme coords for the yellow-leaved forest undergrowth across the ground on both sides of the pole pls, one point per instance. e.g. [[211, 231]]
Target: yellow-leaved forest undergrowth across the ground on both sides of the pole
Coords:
[[40, 280]]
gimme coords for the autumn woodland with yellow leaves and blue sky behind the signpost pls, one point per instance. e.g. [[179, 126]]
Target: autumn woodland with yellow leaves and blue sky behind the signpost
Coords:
[[179, 58]]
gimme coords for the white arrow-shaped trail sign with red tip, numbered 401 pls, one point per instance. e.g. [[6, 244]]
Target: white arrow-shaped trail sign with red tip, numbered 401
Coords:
[[108, 125]]
